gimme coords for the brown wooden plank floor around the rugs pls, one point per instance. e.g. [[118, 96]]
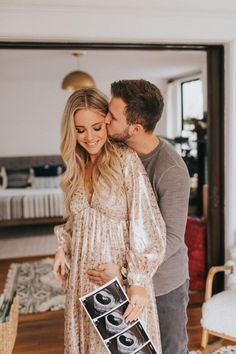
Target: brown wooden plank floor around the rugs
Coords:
[[42, 333]]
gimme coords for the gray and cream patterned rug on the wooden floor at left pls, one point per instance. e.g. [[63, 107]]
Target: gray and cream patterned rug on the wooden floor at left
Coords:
[[36, 286]]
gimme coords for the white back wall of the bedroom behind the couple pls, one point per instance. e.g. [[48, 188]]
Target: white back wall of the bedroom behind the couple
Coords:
[[31, 111]]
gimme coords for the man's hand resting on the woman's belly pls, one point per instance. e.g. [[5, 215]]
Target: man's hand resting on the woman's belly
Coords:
[[104, 273]]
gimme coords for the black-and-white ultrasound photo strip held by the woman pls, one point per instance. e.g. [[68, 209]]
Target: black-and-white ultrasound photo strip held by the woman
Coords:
[[105, 307]]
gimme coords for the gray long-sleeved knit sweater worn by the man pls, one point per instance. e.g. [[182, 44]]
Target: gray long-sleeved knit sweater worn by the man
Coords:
[[171, 184]]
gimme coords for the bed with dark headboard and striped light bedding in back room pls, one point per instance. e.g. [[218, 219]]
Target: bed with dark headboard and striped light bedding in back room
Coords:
[[31, 204]]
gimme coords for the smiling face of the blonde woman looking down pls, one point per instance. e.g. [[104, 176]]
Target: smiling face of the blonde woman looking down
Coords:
[[91, 131]]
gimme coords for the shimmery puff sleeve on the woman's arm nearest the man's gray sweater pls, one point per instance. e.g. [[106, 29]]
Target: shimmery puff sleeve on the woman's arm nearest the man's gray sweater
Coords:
[[147, 232]]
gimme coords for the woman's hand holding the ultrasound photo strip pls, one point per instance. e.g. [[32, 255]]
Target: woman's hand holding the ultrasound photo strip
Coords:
[[138, 301]]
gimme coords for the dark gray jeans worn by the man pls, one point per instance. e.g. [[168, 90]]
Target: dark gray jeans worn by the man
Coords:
[[172, 312]]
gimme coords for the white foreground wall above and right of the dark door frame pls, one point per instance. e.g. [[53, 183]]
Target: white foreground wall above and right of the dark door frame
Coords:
[[182, 21]]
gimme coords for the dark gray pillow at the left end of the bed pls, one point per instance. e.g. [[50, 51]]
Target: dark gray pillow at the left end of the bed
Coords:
[[18, 178]]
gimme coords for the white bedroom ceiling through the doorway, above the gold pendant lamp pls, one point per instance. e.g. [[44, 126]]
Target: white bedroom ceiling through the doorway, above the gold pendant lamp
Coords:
[[51, 64]]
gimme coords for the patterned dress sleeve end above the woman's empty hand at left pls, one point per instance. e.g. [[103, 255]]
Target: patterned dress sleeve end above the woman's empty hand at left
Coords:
[[63, 233]]
